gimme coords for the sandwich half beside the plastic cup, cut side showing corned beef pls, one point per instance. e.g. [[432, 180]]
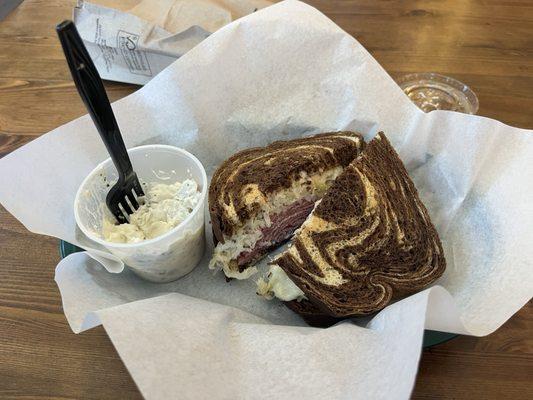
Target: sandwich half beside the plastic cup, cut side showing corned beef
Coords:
[[260, 196]]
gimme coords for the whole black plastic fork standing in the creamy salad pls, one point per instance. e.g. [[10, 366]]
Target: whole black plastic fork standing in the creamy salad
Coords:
[[89, 84]]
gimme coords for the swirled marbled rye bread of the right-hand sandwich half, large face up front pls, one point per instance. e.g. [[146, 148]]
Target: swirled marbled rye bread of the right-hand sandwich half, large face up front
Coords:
[[369, 241]]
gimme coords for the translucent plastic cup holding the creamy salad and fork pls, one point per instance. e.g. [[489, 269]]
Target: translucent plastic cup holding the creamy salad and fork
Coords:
[[166, 257]]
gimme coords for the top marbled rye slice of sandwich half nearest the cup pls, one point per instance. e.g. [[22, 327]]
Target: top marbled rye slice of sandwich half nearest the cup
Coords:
[[272, 168]]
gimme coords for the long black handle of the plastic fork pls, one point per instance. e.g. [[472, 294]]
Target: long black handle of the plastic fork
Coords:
[[92, 92]]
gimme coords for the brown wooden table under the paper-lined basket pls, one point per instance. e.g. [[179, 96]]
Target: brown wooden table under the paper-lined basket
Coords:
[[487, 44]]
